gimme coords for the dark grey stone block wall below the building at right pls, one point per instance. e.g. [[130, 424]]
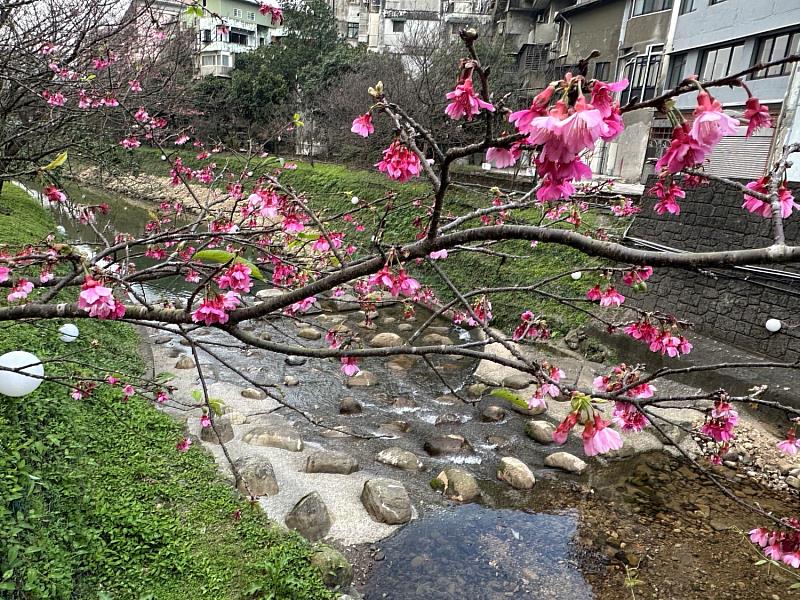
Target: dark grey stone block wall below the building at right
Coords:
[[728, 304]]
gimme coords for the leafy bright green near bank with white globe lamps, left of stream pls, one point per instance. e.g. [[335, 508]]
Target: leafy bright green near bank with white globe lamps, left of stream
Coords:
[[95, 501]]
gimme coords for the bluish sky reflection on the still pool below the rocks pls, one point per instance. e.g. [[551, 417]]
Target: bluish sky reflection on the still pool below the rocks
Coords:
[[478, 553]]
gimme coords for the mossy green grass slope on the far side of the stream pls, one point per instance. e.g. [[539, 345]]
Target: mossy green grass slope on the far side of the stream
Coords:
[[331, 187]]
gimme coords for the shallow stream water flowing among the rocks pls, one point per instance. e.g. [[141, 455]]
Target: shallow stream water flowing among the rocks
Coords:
[[512, 544]]
